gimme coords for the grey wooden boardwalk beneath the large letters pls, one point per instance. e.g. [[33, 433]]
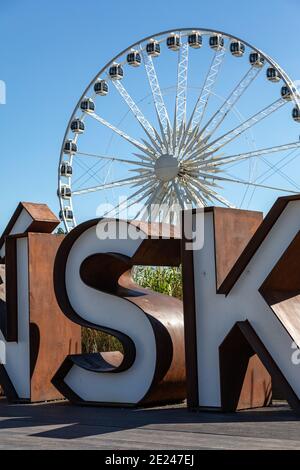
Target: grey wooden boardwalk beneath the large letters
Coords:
[[63, 426]]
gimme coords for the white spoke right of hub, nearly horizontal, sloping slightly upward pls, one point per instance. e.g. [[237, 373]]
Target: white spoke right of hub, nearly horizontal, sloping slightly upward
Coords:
[[245, 156]]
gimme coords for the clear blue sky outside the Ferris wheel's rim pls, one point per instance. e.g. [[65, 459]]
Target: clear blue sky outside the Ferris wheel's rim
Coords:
[[51, 49]]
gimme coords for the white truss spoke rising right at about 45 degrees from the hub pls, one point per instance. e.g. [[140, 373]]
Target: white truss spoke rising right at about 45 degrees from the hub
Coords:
[[219, 116]]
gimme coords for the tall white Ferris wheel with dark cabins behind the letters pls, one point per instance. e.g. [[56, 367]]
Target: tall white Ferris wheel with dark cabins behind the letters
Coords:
[[186, 117]]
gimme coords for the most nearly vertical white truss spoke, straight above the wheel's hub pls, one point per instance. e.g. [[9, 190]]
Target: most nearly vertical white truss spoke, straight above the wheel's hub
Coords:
[[181, 92]]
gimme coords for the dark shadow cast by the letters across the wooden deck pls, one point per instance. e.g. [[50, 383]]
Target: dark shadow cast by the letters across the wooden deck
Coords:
[[62, 421]]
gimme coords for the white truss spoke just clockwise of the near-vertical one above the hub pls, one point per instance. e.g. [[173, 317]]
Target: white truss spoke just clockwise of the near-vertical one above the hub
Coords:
[[210, 80]]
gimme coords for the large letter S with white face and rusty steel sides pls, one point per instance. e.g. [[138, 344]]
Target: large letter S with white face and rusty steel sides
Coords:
[[94, 288]]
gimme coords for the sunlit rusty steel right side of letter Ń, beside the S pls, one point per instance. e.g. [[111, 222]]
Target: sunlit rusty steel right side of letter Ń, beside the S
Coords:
[[52, 335]]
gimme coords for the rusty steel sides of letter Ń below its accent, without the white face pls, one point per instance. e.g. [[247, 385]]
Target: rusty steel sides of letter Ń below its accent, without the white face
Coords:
[[52, 335]]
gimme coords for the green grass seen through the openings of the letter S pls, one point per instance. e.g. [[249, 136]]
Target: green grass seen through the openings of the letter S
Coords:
[[160, 279]]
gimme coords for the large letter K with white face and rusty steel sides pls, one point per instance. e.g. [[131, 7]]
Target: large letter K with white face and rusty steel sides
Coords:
[[248, 310]]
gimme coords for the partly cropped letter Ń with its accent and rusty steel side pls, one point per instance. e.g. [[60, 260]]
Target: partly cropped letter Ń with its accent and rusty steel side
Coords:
[[35, 336]]
